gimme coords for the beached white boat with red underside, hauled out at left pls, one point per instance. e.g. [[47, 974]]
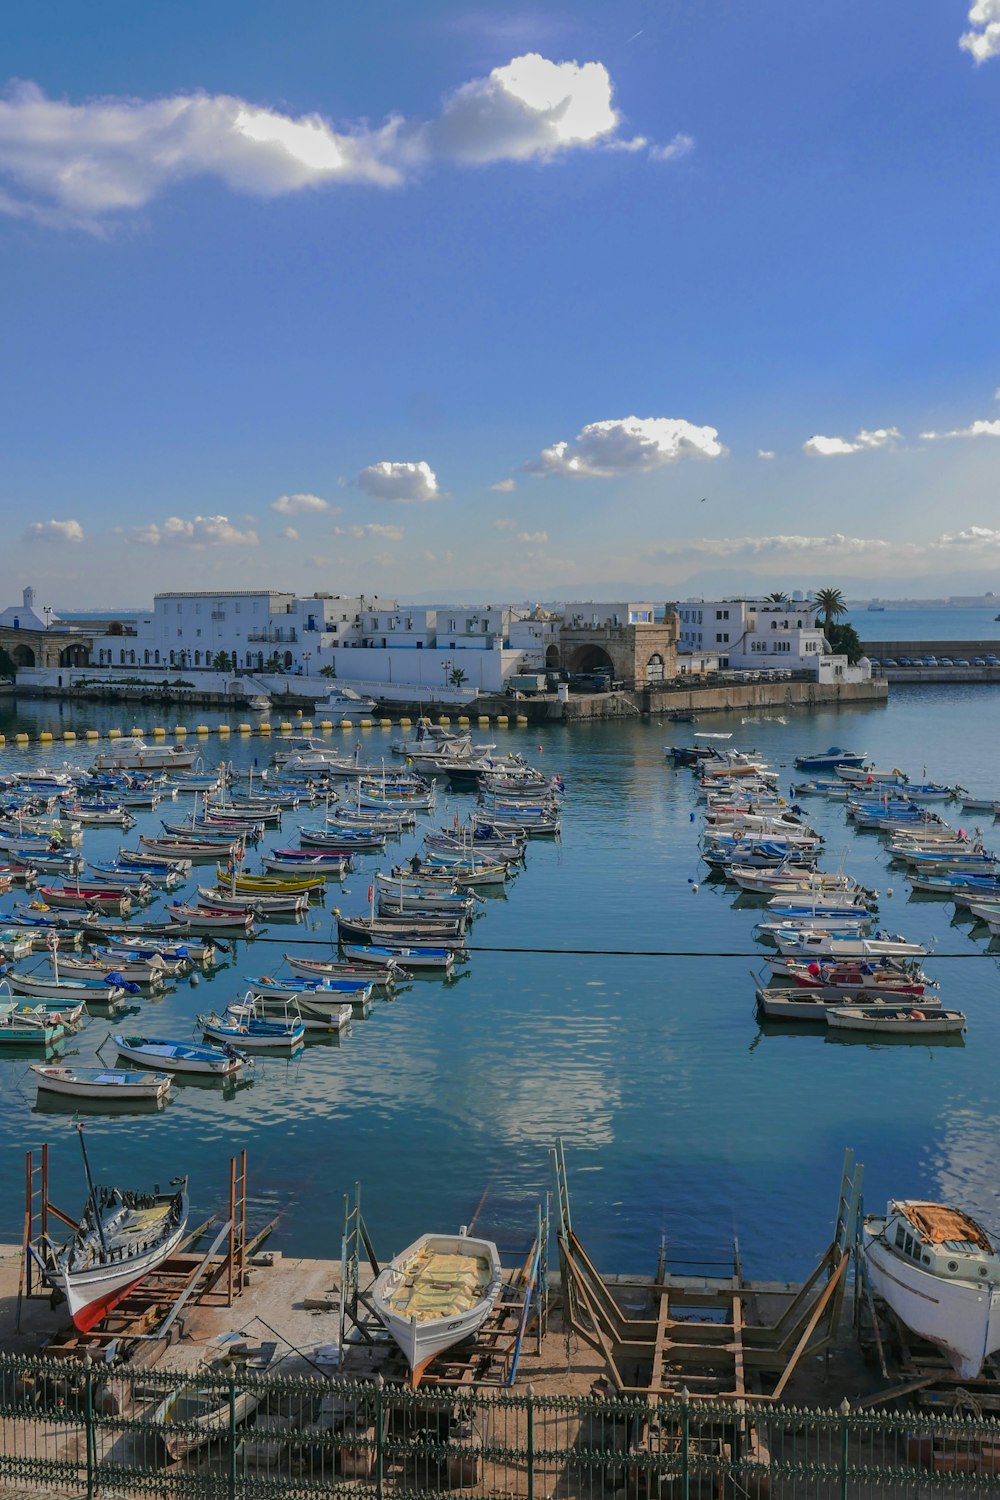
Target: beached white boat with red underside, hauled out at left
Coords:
[[122, 1237]]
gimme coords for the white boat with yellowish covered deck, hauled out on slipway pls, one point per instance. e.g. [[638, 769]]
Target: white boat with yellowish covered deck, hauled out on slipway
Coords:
[[436, 1294]]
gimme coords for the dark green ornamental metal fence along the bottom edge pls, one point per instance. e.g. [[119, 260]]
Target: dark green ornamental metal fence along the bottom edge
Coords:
[[74, 1430]]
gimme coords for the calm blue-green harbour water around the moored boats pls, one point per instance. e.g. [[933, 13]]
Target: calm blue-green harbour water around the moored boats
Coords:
[[680, 1117]]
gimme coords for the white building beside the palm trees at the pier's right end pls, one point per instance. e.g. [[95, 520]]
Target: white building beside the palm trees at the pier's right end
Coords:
[[758, 635]]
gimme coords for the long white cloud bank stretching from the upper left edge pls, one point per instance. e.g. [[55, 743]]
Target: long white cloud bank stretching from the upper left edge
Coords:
[[82, 163]]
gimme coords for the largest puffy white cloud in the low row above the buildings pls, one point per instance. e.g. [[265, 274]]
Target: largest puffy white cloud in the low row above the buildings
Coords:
[[627, 446]]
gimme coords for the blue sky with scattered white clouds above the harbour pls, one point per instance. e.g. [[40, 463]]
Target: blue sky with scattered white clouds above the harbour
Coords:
[[515, 302]]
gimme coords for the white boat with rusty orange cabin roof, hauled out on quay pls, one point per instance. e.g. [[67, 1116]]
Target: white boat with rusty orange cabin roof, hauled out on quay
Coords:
[[941, 1274]]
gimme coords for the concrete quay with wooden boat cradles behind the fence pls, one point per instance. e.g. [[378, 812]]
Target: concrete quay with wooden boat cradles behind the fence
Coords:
[[269, 1376]]
